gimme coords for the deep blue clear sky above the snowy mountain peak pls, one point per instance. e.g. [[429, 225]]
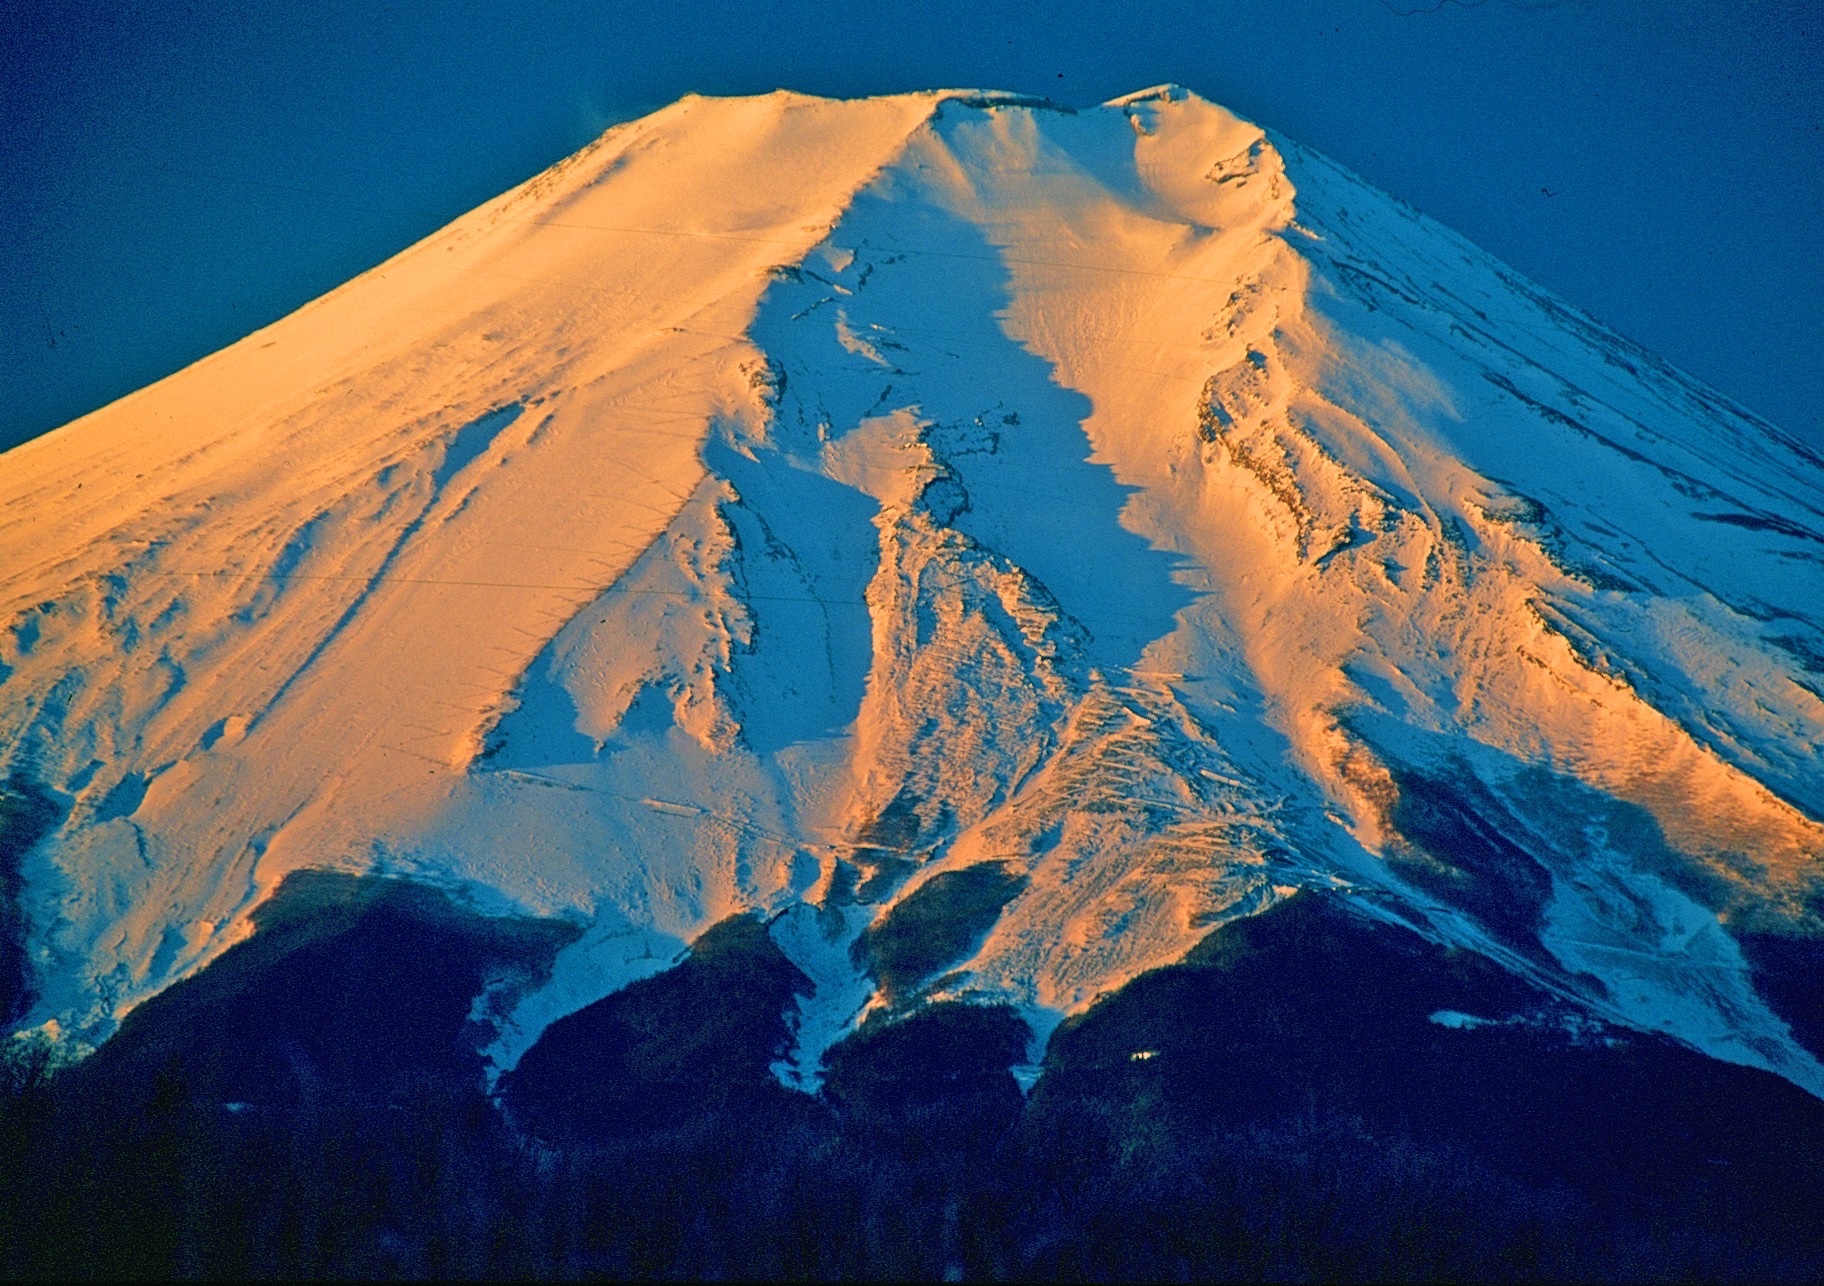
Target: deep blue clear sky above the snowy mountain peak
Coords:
[[178, 174]]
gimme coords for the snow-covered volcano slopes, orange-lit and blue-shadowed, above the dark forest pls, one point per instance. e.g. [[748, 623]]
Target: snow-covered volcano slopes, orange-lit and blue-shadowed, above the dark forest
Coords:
[[789, 504]]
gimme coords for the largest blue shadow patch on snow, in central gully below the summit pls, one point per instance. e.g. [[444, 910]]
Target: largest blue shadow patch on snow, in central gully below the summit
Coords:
[[928, 296]]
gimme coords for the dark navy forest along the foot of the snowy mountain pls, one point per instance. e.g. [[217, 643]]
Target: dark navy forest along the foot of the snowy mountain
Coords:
[[313, 1106]]
